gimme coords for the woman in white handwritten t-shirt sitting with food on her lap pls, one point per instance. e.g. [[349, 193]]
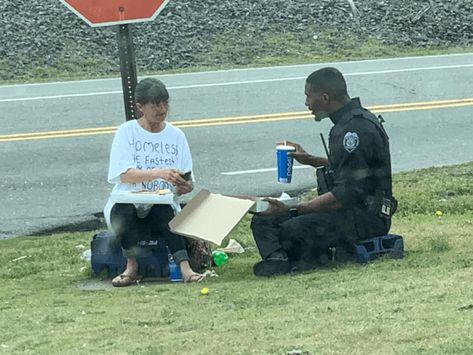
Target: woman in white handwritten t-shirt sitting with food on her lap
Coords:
[[148, 154]]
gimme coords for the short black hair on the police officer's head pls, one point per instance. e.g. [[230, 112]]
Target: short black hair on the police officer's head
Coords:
[[328, 80]]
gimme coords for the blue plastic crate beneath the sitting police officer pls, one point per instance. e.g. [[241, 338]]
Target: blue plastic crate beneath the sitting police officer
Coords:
[[371, 249]]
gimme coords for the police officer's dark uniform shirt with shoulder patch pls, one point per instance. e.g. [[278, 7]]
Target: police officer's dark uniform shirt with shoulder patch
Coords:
[[359, 156]]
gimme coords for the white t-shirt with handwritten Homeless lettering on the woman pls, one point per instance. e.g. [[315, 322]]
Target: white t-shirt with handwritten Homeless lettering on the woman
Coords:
[[134, 147]]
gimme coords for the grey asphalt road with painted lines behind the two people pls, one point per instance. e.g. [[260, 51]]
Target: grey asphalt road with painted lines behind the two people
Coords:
[[55, 137]]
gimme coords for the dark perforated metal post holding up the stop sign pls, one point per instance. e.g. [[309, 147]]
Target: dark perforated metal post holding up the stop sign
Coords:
[[128, 69]]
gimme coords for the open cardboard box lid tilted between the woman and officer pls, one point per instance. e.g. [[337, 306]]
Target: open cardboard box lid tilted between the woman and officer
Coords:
[[210, 217]]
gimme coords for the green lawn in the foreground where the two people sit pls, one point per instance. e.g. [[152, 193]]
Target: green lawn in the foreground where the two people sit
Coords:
[[420, 304]]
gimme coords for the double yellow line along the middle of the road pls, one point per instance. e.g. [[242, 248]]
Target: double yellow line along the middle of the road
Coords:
[[218, 121]]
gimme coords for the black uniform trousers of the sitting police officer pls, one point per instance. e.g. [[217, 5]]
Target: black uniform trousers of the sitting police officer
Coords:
[[310, 236]]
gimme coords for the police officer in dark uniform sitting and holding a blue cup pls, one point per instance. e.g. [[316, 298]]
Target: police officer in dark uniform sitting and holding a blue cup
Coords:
[[355, 190]]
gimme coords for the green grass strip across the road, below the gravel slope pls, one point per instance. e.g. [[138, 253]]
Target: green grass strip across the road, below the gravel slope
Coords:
[[247, 48]]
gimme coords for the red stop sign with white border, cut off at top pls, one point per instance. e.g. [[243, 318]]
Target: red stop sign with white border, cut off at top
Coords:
[[115, 12]]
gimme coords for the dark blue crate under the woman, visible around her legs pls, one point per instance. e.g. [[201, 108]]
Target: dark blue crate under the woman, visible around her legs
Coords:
[[106, 253]]
